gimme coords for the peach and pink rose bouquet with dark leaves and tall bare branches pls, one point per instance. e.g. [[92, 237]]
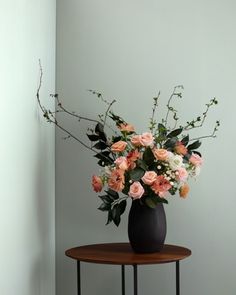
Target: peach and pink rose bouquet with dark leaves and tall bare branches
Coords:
[[148, 166]]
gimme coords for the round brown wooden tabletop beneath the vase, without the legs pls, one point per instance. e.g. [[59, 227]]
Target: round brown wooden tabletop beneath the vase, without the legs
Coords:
[[122, 254]]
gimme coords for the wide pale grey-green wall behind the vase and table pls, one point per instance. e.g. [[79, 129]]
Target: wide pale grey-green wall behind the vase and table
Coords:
[[129, 50]]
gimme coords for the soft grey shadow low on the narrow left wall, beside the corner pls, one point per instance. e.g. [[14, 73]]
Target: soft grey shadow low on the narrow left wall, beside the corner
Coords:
[[43, 273]]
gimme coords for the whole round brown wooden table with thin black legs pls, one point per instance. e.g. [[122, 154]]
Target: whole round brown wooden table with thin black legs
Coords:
[[122, 254]]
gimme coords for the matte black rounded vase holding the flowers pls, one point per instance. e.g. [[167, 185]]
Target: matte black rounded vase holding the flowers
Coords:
[[146, 227]]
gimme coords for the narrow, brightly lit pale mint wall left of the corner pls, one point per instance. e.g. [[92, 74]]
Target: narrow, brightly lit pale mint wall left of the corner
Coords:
[[27, 214]]
